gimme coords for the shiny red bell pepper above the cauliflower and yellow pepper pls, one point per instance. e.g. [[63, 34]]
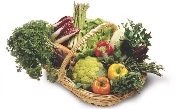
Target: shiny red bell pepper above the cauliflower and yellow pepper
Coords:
[[103, 47]]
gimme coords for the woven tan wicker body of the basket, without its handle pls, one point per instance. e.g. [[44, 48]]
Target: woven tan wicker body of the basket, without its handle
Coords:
[[97, 99]]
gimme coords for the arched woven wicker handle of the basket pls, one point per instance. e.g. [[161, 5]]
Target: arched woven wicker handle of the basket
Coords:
[[62, 71]]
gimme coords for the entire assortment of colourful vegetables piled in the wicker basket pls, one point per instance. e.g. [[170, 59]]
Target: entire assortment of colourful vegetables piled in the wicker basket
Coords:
[[110, 62]]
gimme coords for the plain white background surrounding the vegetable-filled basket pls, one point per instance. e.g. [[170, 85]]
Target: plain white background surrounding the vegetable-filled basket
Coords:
[[18, 91]]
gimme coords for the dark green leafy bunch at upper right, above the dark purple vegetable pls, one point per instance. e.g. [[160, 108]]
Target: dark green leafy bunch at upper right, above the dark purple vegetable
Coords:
[[134, 35]]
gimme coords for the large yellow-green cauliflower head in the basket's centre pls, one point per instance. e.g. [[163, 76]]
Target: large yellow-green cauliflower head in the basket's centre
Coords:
[[86, 70]]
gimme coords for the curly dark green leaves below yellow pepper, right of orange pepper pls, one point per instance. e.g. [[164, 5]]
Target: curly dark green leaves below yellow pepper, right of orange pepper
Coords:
[[130, 82]]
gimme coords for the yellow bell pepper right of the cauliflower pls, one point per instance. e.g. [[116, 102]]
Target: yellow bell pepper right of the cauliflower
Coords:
[[116, 70]]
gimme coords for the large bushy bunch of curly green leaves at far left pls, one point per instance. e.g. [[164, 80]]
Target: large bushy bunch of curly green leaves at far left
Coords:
[[32, 47]]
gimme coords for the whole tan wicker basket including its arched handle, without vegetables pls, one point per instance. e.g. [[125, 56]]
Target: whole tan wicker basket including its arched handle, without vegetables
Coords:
[[89, 97]]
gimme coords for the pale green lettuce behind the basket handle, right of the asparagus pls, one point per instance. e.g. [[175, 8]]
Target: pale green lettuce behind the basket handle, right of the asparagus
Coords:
[[87, 49]]
